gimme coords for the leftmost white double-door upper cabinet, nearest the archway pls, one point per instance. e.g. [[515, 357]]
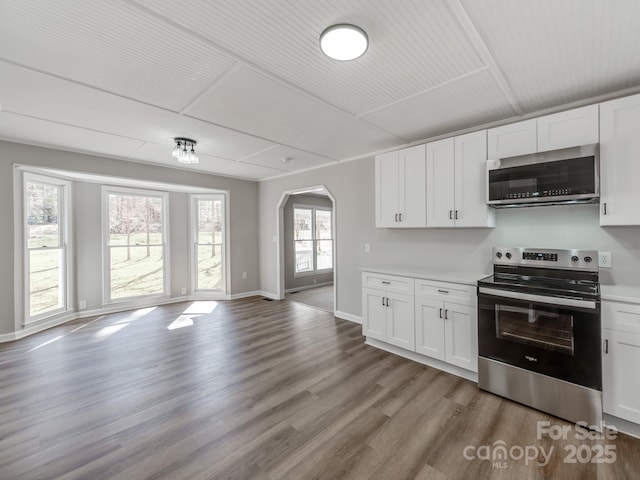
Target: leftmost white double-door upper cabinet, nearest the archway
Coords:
[[401, 188]]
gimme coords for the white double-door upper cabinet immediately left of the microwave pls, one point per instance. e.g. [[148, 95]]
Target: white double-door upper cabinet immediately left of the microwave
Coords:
[[456, 182]]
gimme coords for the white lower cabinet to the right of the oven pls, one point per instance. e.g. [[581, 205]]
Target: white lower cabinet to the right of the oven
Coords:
[[620, 360]]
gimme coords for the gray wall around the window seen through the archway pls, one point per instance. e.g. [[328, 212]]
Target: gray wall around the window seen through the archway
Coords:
[[290, 280]]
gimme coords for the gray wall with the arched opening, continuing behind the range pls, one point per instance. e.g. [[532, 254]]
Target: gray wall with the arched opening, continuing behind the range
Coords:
[[352, 186]]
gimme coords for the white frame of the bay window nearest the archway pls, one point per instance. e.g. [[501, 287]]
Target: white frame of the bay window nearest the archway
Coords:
[[193, 245]]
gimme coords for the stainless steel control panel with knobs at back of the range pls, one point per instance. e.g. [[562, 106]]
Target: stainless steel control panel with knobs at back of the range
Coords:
[[545, 257]]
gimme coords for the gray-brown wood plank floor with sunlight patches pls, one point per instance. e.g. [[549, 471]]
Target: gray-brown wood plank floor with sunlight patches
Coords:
[[254, 390]]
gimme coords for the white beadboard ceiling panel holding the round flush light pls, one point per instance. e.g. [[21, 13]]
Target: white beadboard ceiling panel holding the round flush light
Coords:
[[414, 44]]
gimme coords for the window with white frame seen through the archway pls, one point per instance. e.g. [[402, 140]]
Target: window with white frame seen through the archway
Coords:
[[313, 241]]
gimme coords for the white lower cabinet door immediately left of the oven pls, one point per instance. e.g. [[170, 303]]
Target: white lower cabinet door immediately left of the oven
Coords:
[[461, 336]]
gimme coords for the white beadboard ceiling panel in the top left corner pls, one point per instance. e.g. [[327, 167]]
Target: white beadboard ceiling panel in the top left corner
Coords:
[[110, 45]]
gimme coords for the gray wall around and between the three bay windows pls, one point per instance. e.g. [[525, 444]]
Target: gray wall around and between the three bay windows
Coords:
[[87, 216]]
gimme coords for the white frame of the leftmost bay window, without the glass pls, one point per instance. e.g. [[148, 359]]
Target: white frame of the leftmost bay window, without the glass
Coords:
[[64, 242]]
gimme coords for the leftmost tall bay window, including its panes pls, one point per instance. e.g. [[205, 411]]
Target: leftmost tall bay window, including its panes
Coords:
[[46, 236]]
